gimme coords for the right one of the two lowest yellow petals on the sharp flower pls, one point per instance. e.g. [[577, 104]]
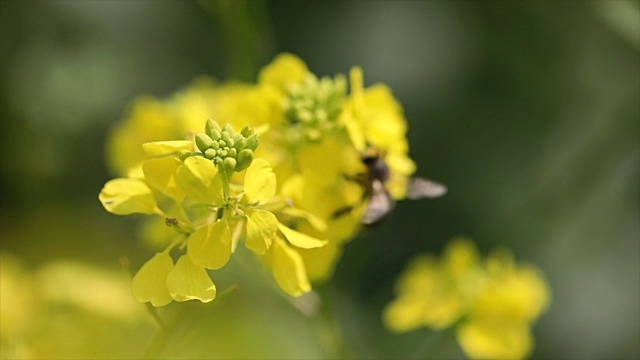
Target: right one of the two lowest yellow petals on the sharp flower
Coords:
[[188, 281]]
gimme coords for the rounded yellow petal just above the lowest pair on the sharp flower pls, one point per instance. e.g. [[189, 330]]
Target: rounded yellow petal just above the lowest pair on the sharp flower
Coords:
[[210, 246]]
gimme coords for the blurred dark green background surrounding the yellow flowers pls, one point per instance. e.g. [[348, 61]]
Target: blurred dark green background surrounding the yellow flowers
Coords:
[[528, 111]]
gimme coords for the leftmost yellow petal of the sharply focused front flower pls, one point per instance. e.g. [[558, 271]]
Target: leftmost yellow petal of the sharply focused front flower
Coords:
[[127, 196]]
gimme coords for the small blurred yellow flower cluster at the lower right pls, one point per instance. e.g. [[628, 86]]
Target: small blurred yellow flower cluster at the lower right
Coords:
[[492, 303]]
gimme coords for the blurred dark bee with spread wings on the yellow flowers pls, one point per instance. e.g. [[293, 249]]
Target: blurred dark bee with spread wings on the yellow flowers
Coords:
[[380, 200]]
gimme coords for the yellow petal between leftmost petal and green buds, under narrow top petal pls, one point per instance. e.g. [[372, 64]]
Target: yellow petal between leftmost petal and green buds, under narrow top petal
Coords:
[[160, 173]]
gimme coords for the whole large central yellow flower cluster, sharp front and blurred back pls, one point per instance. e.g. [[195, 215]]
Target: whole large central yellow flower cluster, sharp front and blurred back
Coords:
[[218, 186]]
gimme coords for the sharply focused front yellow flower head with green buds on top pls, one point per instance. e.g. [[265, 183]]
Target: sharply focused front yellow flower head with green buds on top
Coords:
[[203, 202]]
